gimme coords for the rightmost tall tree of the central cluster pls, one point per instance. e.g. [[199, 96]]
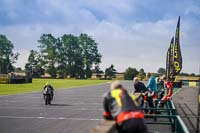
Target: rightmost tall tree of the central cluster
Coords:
[[90, 53]]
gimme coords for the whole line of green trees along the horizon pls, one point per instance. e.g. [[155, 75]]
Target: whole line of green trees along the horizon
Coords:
[[66, 56]]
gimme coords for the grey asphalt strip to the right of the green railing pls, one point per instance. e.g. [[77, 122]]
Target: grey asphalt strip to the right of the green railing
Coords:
[[186, 104]]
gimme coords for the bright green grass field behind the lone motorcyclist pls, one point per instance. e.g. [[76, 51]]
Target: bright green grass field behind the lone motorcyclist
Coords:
[[37, 85]]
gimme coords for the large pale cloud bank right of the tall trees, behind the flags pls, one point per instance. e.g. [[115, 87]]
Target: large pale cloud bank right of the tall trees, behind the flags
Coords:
[[143, 44]]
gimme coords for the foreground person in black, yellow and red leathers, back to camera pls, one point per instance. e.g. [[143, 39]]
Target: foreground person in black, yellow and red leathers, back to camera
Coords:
[[121, 106]]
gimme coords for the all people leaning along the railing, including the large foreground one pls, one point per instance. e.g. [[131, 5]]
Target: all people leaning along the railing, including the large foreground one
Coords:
[[121, 106]]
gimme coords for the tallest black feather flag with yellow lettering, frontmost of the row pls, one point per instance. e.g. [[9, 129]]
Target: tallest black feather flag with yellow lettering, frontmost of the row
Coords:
[[177, 60]]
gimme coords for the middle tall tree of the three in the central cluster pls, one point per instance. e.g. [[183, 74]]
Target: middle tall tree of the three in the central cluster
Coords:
[[70, 56]]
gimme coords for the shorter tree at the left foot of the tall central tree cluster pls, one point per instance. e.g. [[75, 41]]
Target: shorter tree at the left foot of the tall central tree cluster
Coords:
[[34, 66]]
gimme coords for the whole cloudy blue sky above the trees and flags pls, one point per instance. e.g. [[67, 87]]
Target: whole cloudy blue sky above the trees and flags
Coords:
[[129, 33]]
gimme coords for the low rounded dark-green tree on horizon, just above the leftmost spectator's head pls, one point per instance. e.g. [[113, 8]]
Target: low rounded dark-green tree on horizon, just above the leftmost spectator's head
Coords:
[[130, 73]]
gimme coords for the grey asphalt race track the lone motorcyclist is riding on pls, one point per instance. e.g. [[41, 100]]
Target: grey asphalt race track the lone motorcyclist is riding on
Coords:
[[76, 110]]
